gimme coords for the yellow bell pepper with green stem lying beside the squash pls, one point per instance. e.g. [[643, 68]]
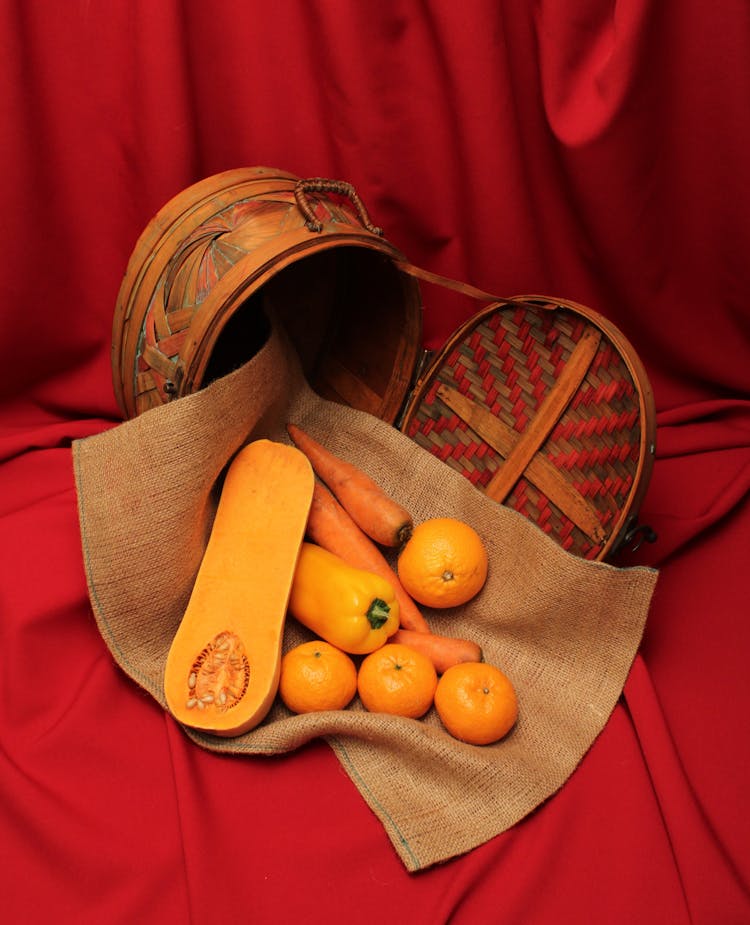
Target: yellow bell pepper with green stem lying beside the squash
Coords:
[[352, 609]]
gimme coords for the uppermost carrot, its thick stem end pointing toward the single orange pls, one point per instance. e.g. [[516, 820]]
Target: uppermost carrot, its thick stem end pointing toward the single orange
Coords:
[[369, 506]]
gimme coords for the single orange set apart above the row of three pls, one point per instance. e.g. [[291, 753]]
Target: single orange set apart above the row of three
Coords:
[[444, 563]]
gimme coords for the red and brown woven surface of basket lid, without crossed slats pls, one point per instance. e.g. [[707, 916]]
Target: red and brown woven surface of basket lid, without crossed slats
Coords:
[[508, 362]]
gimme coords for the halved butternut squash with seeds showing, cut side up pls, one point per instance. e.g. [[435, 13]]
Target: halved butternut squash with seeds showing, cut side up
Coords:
[[222, 670]]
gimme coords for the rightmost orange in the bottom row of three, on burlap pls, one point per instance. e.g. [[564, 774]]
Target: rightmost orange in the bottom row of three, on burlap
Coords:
[[476, 703]]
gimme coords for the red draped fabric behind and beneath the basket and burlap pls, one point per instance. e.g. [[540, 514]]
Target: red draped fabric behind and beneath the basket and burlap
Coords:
[[591, 149]]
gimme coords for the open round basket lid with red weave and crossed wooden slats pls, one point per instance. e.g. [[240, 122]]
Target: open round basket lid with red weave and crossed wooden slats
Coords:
[[543, 405]]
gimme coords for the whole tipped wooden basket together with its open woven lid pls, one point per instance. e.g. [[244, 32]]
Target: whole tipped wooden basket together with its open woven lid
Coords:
[[542, 403]]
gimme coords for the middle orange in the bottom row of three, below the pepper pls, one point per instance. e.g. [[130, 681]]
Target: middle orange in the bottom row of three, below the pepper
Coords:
[[398, 680]]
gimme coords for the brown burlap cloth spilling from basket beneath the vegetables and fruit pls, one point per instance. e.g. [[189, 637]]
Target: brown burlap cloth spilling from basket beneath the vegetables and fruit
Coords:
[[566, 631]]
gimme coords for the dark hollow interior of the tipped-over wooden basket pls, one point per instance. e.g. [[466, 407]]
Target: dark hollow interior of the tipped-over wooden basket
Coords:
[[353, 318]]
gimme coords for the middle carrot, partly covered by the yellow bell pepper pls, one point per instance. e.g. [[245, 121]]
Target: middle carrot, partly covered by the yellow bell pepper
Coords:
[[329, 525]]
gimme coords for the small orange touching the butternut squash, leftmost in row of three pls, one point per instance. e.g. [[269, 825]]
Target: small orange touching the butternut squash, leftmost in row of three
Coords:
[[317, 676]]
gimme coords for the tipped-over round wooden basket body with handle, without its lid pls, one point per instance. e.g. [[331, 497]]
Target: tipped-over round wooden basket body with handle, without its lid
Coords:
[[226, 253]]
